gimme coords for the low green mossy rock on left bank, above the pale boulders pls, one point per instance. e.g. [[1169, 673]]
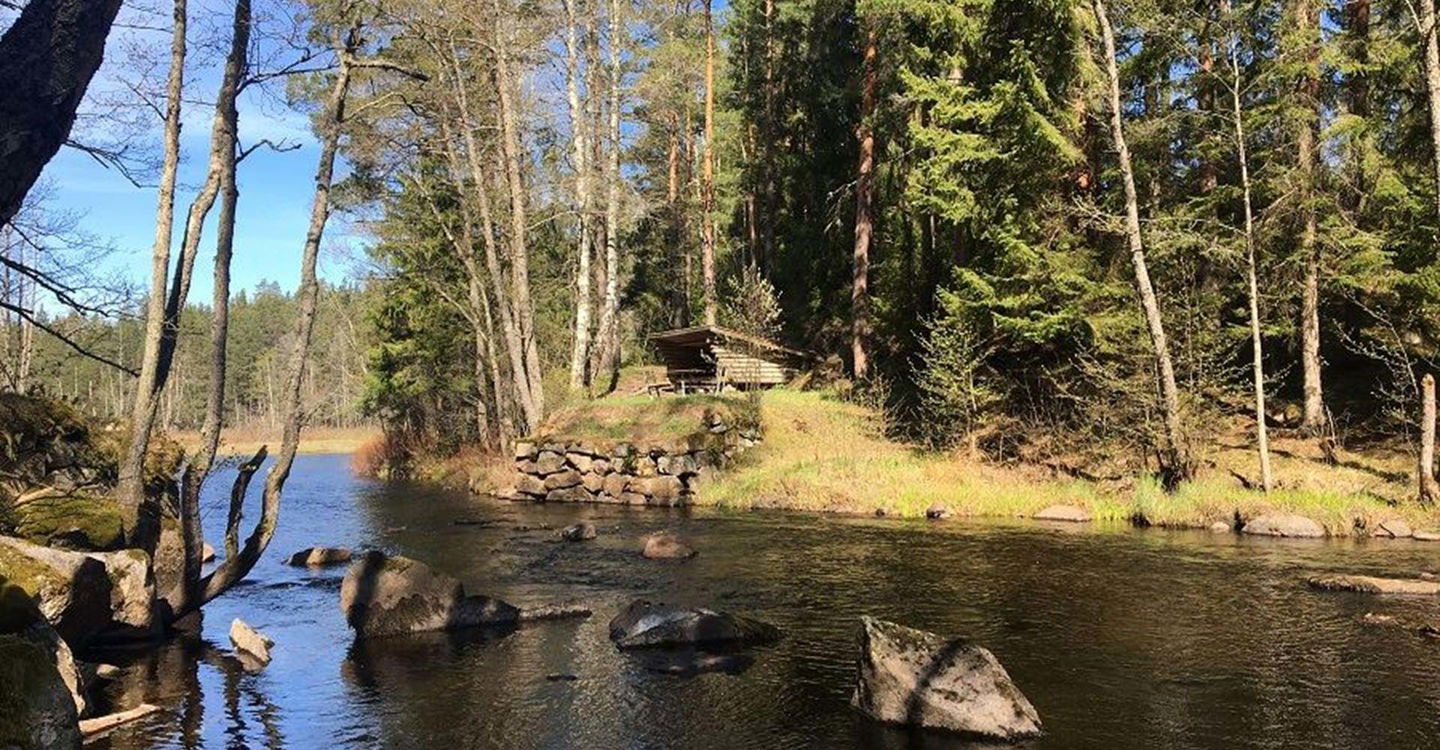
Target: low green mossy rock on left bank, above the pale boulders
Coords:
[[77, 522]]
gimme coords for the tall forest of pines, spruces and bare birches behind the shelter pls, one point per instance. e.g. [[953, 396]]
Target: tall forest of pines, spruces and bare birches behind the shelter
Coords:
[[1029, 228]]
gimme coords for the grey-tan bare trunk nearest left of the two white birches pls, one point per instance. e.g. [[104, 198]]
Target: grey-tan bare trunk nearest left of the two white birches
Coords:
[[510, 149]]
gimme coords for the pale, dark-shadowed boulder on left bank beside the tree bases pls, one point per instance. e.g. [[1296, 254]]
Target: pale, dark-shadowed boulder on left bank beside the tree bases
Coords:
[[86, 597]]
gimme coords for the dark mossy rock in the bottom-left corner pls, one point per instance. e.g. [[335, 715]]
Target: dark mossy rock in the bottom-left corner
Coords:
[[37, 709]]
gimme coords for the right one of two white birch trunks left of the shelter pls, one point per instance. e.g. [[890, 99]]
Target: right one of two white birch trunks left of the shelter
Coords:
[[608, 363]]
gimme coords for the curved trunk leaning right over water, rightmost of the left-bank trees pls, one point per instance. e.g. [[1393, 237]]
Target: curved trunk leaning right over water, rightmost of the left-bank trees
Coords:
[[240, 561]]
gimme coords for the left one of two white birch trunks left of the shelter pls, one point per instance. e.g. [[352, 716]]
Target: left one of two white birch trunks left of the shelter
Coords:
[[581, 352]]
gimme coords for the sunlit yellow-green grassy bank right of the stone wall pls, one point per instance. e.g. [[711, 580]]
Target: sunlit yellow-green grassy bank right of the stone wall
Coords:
[[823, 454]]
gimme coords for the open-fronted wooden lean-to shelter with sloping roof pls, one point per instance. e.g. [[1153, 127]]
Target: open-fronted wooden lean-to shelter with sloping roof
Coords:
[[714, 359]]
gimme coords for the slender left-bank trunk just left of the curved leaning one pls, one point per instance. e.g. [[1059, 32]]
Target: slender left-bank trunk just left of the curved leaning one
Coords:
[[224, 145]]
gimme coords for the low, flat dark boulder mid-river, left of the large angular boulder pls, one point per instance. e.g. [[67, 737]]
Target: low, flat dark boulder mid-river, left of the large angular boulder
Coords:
[[657, 625]]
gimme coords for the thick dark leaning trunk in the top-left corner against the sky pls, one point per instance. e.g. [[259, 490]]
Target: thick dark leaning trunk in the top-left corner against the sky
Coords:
[[48, 58]]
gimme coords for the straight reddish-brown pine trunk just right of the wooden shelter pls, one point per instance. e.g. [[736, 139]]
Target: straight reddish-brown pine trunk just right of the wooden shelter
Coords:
[[865, 214]]
